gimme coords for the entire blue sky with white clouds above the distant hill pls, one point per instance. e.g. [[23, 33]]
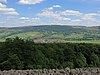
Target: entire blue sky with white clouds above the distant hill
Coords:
[[14, 13]]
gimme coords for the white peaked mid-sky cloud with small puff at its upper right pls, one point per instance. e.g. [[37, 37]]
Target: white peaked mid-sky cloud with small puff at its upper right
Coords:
[[49, 13]]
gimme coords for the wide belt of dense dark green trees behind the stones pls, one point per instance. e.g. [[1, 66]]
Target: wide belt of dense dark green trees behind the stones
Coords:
[[18, 53]]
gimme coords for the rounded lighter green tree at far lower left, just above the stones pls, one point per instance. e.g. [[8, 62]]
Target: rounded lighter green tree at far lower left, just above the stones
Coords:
[[13, 62]]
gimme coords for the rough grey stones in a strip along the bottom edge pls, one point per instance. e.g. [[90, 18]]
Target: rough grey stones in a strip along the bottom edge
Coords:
[[67, 71]]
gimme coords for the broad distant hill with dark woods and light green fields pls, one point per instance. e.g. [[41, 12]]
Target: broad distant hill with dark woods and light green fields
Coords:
[[51, 31]]
